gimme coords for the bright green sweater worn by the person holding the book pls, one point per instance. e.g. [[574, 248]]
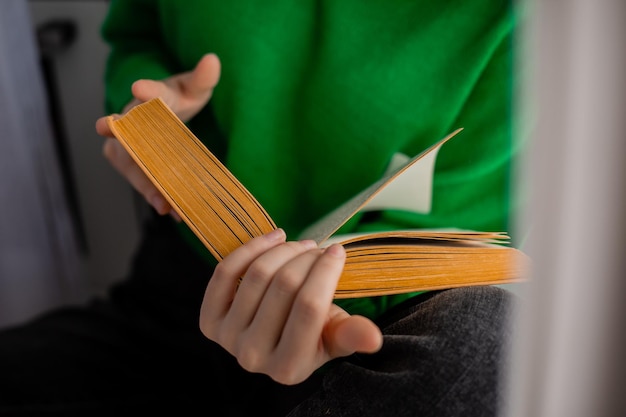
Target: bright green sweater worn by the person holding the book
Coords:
[[315, 98]]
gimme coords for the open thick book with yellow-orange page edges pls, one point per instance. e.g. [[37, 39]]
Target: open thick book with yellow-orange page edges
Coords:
[[224, 215]]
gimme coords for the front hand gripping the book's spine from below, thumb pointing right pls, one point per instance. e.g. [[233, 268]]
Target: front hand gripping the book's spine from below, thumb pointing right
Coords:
[[280, 319]]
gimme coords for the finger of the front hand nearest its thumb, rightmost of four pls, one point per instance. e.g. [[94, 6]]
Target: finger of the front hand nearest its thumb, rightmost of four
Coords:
[[304, 327]]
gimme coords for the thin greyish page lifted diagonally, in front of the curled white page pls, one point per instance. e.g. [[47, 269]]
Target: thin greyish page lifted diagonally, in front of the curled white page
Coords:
[[327, 225]]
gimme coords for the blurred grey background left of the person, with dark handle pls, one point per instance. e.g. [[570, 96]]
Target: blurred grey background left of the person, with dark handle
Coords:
[[70, 221]]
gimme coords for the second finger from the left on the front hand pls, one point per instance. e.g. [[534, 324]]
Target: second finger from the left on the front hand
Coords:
[[259, 276]]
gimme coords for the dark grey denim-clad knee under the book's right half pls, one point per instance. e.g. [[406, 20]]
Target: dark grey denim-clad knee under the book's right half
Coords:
[[443, 354]]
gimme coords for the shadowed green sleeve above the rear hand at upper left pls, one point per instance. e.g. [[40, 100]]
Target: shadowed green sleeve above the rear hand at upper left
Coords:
[[137, 49]]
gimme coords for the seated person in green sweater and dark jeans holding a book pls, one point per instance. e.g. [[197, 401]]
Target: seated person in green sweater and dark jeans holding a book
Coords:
[[307, 103]]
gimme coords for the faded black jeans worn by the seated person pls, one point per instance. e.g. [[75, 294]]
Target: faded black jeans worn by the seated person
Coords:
[[140, 352]]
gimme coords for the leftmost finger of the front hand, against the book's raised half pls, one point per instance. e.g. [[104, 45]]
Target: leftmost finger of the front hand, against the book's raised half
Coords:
[[222, 286]]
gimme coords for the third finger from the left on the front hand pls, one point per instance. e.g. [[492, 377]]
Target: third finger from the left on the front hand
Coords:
[[274, 309]]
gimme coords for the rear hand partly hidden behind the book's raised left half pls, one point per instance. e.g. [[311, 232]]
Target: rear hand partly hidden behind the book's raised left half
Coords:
[[186, 94]]
